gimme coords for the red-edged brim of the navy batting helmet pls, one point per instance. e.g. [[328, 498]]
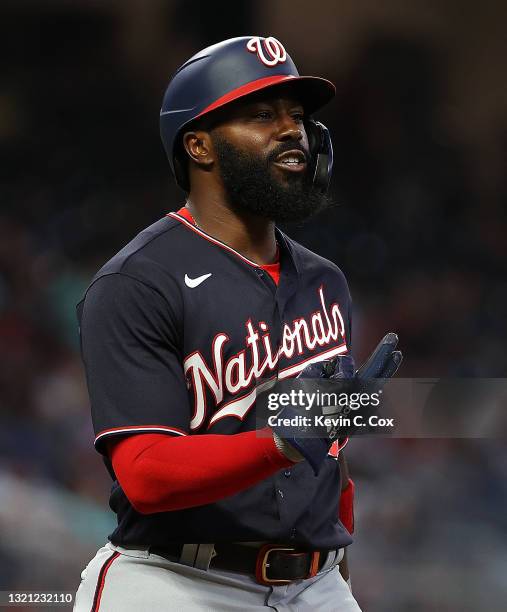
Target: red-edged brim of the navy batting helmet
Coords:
[[313, 92]]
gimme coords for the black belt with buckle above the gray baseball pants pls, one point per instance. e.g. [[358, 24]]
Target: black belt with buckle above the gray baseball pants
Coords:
[[270, 563]]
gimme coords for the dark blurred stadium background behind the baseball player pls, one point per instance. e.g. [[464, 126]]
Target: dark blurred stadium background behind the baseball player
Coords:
[[420, 133]]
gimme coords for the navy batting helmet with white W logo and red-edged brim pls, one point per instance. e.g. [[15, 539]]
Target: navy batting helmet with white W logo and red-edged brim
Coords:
[[230, 70]]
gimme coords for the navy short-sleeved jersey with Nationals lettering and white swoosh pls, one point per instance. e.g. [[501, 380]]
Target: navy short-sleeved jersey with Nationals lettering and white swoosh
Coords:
[[175, 330]]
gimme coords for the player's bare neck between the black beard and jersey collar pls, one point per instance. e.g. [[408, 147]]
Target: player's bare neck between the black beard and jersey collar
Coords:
[[250, 235]]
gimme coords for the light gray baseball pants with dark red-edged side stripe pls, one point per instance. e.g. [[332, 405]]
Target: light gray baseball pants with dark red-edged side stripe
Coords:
[[126, 580]]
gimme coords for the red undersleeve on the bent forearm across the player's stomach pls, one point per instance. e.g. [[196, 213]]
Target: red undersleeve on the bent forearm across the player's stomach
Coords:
[[159, 473]]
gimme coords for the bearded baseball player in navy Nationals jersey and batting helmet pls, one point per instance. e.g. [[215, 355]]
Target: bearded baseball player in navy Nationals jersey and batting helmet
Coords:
[[214, 514]]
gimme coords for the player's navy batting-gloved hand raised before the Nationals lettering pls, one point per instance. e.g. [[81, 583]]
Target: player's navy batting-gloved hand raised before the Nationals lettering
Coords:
[[380, 366]]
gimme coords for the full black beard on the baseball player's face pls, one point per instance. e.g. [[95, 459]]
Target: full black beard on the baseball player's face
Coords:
[[251, 186]]
